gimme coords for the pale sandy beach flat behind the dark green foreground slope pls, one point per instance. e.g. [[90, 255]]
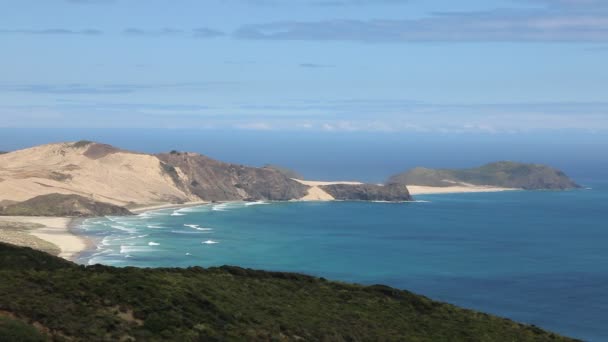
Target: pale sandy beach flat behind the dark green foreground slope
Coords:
[[54, 230]]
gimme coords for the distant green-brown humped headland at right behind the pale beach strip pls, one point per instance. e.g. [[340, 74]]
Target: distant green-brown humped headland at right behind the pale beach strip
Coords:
[[500, 174]]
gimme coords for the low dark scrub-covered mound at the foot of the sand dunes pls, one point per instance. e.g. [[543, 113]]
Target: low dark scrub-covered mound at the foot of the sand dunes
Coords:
[[62, 205]]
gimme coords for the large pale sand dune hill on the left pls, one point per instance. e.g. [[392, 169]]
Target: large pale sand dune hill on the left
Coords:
[[106, 174]]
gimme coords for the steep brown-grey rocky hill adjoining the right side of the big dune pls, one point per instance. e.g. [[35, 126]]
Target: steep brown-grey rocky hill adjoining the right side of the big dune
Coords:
[[213, 180]]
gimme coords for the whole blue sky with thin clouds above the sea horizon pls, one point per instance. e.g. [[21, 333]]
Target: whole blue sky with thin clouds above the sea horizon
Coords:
[[486, 67]]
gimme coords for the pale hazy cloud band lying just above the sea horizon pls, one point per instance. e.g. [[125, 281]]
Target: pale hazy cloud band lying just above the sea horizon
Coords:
[[330, 116]]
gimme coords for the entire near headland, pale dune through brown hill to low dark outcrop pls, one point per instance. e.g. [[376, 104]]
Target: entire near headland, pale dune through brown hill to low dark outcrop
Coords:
[[99, 173]]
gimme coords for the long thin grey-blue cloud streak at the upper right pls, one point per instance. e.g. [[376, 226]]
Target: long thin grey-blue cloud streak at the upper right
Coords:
[[553, 21]]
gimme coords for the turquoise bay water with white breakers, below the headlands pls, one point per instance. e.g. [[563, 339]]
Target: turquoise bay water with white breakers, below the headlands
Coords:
[[537, 257]]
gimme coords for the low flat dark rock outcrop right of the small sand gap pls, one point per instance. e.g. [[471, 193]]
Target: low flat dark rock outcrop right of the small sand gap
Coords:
[[368, 192]]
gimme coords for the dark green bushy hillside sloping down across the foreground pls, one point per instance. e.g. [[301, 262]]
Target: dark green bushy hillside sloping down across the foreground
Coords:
[[65, 301]]
